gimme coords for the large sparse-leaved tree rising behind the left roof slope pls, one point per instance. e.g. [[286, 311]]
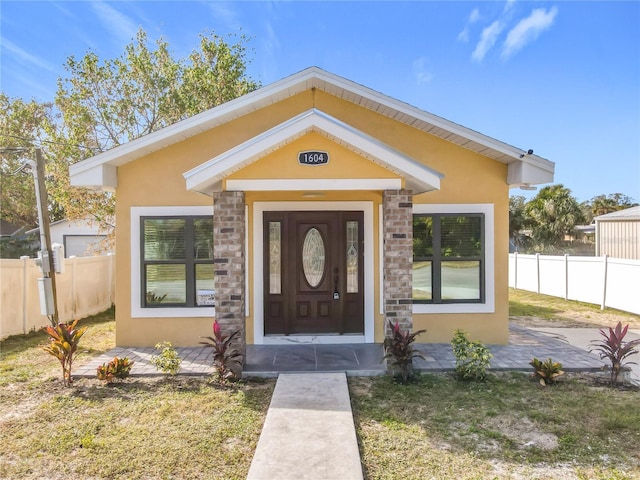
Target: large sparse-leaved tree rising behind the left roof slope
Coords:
[[103, 104]]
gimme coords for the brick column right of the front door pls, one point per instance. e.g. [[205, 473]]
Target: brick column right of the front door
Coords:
[[397, 212]]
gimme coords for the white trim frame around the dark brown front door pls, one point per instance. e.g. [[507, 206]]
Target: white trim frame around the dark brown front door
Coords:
[[258, 287]]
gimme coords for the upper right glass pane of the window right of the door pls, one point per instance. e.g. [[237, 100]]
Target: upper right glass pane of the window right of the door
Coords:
[[460, 236]]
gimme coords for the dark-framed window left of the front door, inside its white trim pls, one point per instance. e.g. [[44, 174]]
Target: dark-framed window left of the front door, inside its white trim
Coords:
[[176, 261]]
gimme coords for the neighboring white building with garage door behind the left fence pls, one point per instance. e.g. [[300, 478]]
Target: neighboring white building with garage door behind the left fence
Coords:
[[80, 238]]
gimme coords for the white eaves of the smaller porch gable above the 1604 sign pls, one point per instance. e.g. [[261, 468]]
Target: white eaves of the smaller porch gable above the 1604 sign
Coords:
[[207, 177]]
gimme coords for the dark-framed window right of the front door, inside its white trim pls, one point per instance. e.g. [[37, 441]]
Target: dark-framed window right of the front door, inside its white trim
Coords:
[[448, 258]]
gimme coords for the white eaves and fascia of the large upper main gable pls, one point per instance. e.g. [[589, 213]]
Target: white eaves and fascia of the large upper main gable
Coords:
[[100, 171]]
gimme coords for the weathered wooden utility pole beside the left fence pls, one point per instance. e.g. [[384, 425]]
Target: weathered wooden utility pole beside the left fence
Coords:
[[45, 235]]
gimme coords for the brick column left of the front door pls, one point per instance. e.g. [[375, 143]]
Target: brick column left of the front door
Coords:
[[229, 261]]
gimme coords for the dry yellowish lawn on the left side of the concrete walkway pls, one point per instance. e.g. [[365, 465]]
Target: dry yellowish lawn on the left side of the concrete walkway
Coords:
[[181, 427]]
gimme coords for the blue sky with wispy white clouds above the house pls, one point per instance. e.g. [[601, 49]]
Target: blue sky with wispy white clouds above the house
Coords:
[[561, 78]]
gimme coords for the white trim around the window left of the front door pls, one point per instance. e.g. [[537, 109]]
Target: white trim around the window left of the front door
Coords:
[[137, 311]]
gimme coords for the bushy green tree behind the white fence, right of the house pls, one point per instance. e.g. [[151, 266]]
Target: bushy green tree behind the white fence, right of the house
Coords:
[[554, 212]]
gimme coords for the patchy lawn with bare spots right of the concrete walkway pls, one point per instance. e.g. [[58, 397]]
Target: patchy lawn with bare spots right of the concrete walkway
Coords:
[[505, 427]]
